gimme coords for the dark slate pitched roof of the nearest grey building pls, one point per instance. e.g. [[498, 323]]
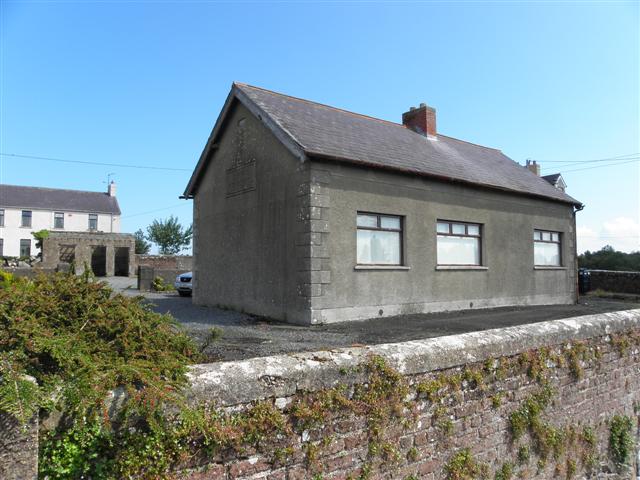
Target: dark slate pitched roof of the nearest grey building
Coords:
[[321, 132]]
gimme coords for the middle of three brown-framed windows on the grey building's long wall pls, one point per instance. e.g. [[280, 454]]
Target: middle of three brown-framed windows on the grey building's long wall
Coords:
[[458, 243]]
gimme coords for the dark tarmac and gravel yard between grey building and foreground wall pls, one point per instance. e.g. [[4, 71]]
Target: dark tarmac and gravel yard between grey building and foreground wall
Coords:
[[245, 336]]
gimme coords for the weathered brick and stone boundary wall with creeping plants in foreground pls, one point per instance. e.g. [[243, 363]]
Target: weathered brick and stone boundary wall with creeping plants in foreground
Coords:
[[430, 435]]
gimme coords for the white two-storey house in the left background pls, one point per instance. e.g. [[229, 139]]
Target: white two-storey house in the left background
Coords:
[[24, 210]]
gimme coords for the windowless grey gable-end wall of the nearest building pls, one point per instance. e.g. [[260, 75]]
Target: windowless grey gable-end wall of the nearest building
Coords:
[[249, 242]]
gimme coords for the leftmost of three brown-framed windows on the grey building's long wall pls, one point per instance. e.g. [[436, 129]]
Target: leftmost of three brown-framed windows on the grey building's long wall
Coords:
[[379, 239]]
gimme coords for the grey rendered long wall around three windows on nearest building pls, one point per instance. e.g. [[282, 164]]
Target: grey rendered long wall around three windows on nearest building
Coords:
[[508, 223]]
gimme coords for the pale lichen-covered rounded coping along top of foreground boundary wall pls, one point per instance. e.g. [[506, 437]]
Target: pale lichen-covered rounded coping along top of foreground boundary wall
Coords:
[[240, 382]]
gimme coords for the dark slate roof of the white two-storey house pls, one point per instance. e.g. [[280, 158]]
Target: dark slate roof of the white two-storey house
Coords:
[[15, 196]]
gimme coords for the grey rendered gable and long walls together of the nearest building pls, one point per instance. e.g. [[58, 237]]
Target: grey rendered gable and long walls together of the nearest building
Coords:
[[275, 235]]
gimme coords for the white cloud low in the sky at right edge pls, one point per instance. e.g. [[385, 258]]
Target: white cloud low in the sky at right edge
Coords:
[[622, 233]]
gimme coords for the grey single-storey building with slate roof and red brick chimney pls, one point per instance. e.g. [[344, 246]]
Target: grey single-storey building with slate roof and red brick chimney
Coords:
[[312, 214]]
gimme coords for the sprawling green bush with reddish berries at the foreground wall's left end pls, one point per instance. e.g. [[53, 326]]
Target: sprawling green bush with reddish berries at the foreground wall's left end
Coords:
[[79, 341]]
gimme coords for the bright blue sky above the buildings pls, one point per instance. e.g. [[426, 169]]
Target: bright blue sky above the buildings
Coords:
[[137, 82]]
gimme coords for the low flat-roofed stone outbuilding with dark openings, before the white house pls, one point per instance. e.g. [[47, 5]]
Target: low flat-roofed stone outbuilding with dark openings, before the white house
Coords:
[[107, 254]]
